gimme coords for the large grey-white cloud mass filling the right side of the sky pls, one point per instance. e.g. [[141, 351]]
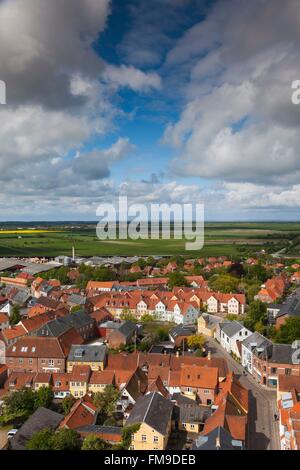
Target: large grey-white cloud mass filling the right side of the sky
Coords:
[[238, 123]]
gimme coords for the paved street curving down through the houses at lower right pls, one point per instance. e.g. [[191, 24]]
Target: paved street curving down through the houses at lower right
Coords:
[[263, 430]]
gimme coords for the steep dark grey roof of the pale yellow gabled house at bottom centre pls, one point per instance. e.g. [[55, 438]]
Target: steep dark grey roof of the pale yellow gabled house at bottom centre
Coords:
[[154, 410]]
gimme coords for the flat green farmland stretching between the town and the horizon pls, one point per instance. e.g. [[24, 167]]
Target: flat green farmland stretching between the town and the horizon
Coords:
[[221, 238]]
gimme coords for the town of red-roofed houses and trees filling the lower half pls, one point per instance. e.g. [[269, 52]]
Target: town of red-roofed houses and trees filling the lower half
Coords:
[[150, 353]]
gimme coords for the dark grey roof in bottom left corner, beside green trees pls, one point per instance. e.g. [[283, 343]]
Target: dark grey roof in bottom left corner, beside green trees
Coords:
[[42, 418]]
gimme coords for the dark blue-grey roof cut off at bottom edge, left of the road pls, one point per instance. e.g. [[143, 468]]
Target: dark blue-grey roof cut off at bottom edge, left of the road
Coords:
[[218, 439]]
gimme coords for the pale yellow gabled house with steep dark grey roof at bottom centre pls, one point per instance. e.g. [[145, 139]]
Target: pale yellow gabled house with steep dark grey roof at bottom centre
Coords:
[[154, 414]]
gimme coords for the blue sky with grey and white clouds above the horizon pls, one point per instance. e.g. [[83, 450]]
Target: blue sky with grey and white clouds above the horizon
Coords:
[[165, 101]]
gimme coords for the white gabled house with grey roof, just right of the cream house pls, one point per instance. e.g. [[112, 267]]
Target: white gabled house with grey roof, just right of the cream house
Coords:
[[230, 334]]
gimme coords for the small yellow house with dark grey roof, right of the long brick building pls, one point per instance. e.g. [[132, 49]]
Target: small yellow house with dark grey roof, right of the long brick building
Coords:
[[92, 355]]
